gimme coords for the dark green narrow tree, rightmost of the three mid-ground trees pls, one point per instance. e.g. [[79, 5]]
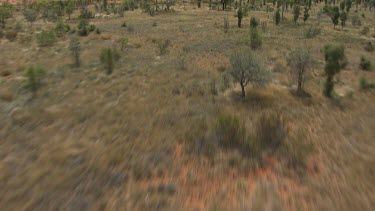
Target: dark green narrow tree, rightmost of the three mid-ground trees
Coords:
[[335, 60]]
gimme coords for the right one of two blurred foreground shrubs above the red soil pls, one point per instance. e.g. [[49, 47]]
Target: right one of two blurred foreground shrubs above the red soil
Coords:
[[270, 131]]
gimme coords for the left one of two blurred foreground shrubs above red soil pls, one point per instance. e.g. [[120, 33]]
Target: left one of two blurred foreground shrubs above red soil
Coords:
[[229, 131]]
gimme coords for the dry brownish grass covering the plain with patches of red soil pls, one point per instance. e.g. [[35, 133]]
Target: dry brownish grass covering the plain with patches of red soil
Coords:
[[89, 141]]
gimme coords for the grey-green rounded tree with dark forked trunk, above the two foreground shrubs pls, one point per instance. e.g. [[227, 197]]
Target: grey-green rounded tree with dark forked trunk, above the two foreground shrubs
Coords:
[[247, 69]]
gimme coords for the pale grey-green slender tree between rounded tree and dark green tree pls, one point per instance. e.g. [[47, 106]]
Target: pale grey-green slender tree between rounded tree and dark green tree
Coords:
[[299, 60]]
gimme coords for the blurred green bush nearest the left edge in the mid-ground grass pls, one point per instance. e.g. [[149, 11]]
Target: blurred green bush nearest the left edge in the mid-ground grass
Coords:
[[34, 75]]
